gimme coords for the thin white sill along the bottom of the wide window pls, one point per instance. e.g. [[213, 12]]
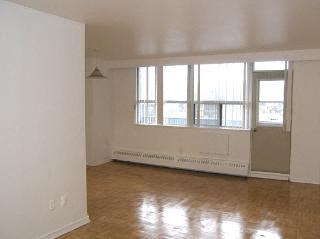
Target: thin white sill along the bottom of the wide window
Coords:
[[224, 129]]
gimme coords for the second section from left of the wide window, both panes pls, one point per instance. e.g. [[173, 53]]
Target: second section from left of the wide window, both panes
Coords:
[[175, 95]]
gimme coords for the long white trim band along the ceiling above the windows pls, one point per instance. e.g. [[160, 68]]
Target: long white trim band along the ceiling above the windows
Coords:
[[288, 55]]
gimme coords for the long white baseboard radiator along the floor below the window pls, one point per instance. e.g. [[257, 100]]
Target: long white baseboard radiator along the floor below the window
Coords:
[[204, 164]]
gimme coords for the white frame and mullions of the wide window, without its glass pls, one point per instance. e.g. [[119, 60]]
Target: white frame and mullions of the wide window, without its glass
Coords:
[[193, 107]]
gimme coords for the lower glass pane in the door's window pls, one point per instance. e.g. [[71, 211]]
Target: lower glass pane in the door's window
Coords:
[[271, 113]]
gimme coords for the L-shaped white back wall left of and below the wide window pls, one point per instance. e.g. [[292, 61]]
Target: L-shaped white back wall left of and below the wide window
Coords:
[[218, 143]]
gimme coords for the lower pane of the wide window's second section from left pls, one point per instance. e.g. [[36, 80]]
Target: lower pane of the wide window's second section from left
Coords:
[[175, 113]]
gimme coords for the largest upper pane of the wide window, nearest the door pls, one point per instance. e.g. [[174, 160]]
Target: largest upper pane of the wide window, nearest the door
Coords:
[[221, 82]]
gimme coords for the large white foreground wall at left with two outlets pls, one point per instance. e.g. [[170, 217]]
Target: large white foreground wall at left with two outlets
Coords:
[[42, 123]]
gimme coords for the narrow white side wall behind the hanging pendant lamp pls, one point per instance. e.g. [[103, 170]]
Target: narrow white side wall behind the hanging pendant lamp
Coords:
[[99, 103]]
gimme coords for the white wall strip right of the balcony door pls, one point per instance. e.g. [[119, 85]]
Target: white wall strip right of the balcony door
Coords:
[[305, 159]]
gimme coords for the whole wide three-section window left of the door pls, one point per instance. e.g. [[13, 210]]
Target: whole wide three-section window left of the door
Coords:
[[210, 95]]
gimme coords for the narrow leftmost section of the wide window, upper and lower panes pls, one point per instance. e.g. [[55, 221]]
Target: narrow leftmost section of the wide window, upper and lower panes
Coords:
[[146, 104]]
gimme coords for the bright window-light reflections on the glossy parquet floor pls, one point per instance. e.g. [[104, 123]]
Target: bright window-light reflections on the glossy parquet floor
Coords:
[[174, 220]]
